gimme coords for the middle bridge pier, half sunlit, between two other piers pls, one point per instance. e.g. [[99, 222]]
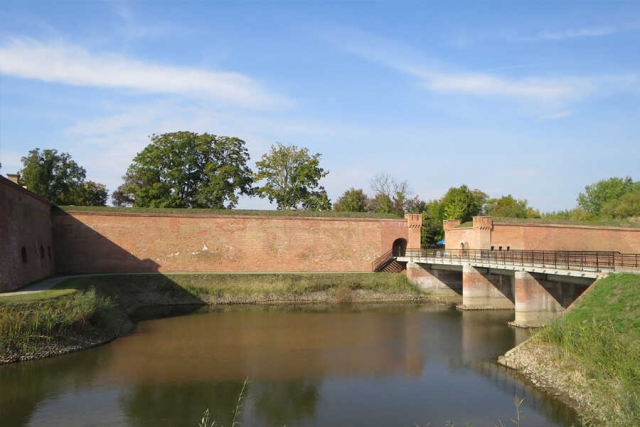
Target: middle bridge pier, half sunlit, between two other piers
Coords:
[[483, 290]]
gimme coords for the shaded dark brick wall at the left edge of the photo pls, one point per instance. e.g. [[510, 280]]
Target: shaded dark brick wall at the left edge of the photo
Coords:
[[26, 249]]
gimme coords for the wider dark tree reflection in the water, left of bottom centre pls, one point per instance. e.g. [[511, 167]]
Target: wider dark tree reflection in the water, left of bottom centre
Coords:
[[148, 405]]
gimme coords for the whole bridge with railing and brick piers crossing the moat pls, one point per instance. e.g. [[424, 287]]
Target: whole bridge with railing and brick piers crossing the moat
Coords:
[[536, 284]]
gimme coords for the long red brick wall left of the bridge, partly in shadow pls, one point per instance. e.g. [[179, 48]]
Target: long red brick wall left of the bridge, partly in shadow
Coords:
[[116, 242]]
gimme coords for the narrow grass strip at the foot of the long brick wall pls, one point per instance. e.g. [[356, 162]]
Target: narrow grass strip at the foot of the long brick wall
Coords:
[[131, 291]]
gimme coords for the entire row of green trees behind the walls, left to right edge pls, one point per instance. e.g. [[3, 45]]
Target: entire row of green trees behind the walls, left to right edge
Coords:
[[190, 170]]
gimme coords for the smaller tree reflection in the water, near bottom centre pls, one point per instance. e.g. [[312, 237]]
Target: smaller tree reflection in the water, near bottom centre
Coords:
[[285, 403]]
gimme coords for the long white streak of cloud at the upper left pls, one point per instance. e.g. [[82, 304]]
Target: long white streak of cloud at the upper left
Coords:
[[70, 64]]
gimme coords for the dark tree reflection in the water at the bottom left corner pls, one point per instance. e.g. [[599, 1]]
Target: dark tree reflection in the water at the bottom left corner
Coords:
[[23, 386]]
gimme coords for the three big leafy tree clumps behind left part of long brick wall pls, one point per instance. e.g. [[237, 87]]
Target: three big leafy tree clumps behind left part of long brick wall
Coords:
[[186, 170]]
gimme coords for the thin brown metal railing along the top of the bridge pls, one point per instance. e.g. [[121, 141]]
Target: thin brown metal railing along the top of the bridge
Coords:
[[569, 260]]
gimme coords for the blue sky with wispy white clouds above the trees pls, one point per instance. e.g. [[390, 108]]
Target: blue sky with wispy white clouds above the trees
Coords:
[[533, 99]]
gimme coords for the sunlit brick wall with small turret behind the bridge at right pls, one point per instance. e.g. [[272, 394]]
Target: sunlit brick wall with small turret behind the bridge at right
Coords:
[[486, 233]]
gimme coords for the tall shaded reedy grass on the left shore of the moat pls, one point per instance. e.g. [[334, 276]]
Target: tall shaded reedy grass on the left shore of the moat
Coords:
[[28, 323]]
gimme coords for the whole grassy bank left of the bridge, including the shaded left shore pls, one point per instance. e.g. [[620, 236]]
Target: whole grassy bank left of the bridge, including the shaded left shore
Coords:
[[86, 311]]
